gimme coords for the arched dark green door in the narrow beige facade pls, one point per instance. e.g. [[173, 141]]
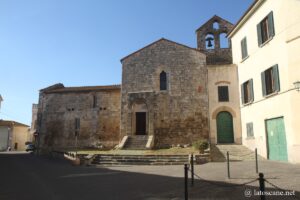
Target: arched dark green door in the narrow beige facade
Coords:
[[224, 128]]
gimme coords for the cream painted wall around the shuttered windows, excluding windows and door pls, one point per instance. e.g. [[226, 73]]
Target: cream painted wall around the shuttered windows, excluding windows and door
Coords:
[[283, 49]]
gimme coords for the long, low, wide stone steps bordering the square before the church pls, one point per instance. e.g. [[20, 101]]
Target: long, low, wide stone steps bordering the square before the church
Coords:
[[111, 160]]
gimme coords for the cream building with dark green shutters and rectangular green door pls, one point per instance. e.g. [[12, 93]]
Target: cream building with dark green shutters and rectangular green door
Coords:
[[266, 46]]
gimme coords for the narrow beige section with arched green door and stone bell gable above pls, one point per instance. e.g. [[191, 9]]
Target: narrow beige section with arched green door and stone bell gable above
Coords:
[[224, 113]]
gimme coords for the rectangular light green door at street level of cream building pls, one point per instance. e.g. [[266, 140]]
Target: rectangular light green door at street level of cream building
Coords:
[[277, 148]]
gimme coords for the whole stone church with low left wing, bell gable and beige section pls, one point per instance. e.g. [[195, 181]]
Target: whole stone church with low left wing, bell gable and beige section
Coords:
[[170, 94]]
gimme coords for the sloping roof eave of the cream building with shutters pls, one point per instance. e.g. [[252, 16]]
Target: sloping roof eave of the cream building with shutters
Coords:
[[253, 7]]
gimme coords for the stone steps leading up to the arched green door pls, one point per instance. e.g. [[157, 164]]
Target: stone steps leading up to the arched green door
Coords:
[[236, 153]]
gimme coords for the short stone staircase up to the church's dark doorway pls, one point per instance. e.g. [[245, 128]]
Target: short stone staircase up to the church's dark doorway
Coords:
[[136, 142]]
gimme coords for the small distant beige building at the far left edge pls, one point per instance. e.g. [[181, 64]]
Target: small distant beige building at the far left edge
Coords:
[[14, 135]]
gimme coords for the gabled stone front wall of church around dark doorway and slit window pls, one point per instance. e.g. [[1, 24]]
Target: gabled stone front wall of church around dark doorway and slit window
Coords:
[[178, 115]]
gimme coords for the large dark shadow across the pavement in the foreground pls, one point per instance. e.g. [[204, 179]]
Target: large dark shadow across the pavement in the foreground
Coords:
[[27, 177]]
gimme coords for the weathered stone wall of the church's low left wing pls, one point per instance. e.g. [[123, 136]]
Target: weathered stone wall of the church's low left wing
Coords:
[[99, 120]]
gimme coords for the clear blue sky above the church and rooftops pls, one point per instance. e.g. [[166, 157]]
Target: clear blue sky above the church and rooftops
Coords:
[[81, 42]]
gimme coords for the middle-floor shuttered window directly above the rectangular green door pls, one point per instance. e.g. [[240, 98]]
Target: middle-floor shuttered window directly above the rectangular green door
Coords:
[[270, 80]]
